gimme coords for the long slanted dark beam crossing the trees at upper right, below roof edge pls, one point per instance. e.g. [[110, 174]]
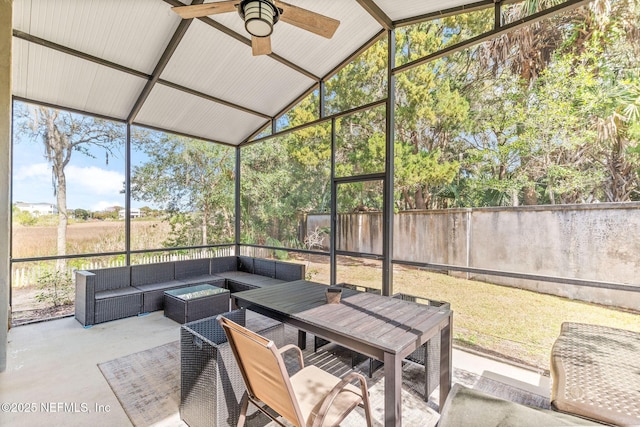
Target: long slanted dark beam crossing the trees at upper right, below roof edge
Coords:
[[512, 26]]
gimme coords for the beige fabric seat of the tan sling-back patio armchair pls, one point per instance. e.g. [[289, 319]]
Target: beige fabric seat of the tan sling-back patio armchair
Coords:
[[312, 384]]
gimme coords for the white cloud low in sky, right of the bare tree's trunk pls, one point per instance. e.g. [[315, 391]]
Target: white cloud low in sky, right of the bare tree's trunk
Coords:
[[95, 180]]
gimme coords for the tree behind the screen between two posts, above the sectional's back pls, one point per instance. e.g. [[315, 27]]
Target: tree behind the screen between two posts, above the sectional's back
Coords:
[[192, 181]]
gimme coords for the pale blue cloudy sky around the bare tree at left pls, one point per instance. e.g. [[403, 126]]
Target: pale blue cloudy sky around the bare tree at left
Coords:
[[92, 184]]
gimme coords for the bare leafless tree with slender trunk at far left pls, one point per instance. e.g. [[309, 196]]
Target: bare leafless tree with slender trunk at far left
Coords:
[[62, 133]]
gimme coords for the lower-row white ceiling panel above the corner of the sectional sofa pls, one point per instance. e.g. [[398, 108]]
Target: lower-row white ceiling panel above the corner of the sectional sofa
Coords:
[[168, 108]]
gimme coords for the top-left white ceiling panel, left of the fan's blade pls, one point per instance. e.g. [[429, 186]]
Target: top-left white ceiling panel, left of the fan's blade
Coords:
[[130, 33]]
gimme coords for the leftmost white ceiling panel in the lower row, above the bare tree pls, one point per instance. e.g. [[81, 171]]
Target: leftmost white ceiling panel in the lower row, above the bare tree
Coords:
[[53, 77]]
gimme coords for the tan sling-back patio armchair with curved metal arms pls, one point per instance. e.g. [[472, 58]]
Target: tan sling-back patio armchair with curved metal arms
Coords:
[[310, 397]]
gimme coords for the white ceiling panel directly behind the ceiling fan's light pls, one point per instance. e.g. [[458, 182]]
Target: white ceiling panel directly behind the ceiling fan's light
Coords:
[[211, 62]]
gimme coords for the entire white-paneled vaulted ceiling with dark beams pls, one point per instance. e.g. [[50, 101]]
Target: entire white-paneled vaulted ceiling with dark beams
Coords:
[[139, 62]]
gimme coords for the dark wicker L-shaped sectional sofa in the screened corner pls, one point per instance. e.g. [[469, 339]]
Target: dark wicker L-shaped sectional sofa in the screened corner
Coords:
[[114, 293]]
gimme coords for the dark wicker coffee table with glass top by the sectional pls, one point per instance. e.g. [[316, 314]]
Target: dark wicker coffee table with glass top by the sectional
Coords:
[[195, 302]]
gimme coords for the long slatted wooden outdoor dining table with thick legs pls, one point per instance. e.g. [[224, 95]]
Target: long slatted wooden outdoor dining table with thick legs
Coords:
[[381, 327]]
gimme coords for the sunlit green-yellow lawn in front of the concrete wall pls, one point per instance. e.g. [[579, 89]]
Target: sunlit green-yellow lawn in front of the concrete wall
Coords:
[[513, 323]]
